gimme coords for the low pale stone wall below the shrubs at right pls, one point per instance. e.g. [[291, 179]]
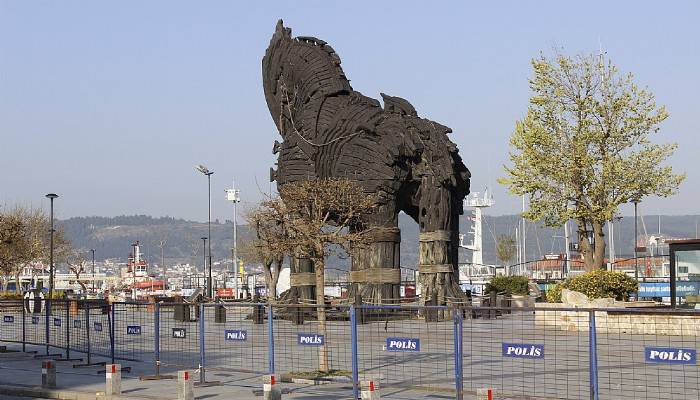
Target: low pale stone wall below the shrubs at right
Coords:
[[620, 322]]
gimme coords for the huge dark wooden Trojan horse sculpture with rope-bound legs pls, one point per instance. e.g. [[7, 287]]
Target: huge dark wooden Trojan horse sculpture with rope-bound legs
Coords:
[[330, 130]]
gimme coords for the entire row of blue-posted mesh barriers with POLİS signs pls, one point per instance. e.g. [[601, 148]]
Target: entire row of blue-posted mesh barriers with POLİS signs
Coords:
[[521, 353]]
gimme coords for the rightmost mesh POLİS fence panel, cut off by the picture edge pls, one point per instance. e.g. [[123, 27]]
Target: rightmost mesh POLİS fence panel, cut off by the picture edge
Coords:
[[648, 354]]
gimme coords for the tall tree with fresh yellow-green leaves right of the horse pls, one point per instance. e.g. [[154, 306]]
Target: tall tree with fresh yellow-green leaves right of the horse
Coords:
[[584, 147]]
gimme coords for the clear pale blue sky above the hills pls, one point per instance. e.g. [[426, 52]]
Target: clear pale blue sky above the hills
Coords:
[[112, 104]]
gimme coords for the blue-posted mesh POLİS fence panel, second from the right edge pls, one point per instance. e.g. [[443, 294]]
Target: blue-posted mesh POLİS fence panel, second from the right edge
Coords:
[[521, 354]]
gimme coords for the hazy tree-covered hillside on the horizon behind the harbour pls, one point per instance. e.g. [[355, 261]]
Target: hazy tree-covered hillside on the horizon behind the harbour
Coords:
[[112, 237]]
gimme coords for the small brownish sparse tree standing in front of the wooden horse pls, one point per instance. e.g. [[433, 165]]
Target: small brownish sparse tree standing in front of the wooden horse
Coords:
[[309, 218]]
